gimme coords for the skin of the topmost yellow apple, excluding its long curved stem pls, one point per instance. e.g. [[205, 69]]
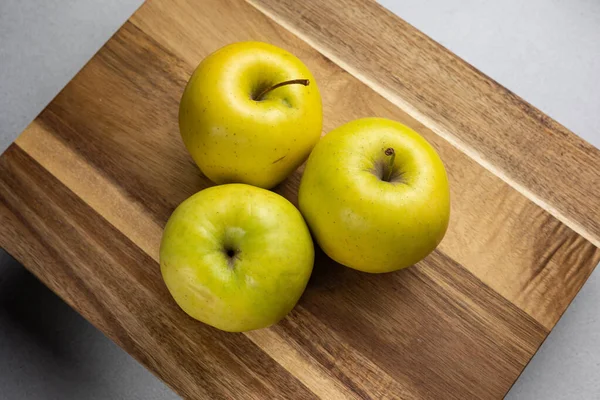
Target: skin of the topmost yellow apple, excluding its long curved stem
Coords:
[[234, 138]]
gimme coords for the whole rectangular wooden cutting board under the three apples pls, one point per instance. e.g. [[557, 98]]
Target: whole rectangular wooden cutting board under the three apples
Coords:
[[87, 188]]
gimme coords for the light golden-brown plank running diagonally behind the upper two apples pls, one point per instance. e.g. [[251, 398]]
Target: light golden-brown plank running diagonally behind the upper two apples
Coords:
[[498, 247]]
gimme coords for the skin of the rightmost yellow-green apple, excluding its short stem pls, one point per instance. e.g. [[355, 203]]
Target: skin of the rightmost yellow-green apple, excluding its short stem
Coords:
[[362, 221]]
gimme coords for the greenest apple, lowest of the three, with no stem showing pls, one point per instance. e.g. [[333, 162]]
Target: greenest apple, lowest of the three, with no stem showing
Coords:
[[236, 257]]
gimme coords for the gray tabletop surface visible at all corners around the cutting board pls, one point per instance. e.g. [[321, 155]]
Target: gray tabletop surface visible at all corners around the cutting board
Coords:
[[547, 51]]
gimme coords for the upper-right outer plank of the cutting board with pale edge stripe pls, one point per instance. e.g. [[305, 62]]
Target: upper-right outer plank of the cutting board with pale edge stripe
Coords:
[[533, 153]]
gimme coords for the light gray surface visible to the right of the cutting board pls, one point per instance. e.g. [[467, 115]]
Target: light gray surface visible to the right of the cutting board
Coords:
[[548, 52]]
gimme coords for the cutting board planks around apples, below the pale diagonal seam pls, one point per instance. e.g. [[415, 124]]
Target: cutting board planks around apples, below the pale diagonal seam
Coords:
[[87, 188]]
